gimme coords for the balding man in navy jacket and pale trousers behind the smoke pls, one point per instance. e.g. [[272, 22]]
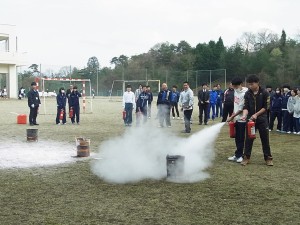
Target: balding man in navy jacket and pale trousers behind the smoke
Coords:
[[164, 106]]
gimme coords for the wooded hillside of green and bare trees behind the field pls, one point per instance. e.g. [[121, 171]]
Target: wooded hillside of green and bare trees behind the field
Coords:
[[274, 58]]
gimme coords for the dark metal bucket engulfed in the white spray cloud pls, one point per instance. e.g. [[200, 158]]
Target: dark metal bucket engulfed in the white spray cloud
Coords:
[[175, 165]]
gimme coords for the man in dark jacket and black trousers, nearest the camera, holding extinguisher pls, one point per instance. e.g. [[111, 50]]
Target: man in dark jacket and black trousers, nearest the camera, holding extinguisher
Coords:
[[255, 109]]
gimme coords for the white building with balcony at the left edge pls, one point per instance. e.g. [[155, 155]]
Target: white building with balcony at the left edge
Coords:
[[10, 59]]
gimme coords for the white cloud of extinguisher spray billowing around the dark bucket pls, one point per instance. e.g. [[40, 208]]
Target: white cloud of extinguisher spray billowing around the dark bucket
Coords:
[[141, 154]]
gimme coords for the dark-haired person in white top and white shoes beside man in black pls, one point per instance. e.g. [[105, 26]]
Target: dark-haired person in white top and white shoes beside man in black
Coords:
[[240, 125]]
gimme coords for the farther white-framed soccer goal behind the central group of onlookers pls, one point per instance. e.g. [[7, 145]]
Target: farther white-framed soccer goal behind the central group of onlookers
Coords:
[[136, 82]]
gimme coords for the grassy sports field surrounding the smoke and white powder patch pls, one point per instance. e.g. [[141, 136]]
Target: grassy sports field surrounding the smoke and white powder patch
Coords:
[[72, 194]]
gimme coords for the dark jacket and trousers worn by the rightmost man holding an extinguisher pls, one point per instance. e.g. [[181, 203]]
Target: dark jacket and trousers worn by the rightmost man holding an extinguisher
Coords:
[[254, 103]]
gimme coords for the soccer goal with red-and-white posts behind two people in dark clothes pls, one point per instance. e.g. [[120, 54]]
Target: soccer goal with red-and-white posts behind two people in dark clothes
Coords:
[[84, 87]]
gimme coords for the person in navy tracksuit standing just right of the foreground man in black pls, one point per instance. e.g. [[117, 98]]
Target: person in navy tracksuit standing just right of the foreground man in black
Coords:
[[275, 108]]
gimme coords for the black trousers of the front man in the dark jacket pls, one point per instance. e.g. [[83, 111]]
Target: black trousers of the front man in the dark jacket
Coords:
[[262, 126]]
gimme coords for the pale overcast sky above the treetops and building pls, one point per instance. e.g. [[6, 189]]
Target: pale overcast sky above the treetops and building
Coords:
[[68, 32]]
